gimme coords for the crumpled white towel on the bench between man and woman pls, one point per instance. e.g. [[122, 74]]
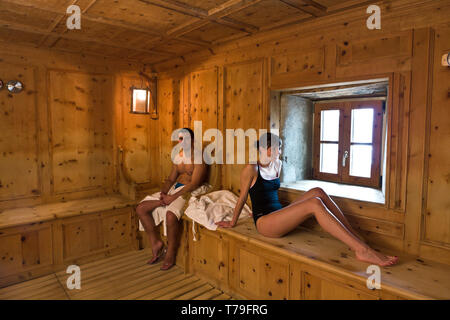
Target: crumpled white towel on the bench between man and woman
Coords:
[[214, 207]]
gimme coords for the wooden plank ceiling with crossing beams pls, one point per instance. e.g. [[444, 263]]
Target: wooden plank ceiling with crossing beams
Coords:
[[152, 31]]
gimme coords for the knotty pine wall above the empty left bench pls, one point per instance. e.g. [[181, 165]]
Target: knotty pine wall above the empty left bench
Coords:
[[60, 136]]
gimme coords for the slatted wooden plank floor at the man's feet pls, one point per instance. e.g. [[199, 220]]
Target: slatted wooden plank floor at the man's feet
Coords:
[[122, 277]]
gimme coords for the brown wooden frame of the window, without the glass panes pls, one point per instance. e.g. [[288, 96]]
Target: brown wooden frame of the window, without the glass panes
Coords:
[[344, 143]]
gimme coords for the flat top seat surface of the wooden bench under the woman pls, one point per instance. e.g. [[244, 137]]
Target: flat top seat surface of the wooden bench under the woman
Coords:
[[413, 277]]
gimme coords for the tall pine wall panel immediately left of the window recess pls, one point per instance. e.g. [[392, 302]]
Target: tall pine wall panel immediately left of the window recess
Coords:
[[244, 107]]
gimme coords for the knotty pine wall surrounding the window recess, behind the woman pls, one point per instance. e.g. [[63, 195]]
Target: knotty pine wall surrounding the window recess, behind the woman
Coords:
[[231, 85]]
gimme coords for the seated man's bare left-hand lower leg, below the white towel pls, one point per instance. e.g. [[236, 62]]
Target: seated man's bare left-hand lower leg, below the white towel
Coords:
[[144, 211]]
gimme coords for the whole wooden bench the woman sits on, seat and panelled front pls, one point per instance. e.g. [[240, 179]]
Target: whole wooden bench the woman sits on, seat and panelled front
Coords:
[[306, 264]]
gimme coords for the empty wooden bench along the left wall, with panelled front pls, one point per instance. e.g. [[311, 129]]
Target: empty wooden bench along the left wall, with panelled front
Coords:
[[41, 239]]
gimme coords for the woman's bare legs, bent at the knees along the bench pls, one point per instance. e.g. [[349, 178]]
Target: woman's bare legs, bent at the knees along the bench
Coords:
[[280, 222]]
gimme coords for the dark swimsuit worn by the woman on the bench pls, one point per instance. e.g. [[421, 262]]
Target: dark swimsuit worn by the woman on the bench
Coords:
[[264, 196]]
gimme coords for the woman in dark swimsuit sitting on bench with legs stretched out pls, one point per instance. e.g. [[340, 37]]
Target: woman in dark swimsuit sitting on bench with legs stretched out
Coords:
[[262, 181]]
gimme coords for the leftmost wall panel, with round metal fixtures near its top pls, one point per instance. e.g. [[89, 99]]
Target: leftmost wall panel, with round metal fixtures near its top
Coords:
[[19, 175]]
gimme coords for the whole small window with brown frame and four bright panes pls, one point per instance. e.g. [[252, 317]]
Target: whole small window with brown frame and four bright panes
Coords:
[[347, 142]]
